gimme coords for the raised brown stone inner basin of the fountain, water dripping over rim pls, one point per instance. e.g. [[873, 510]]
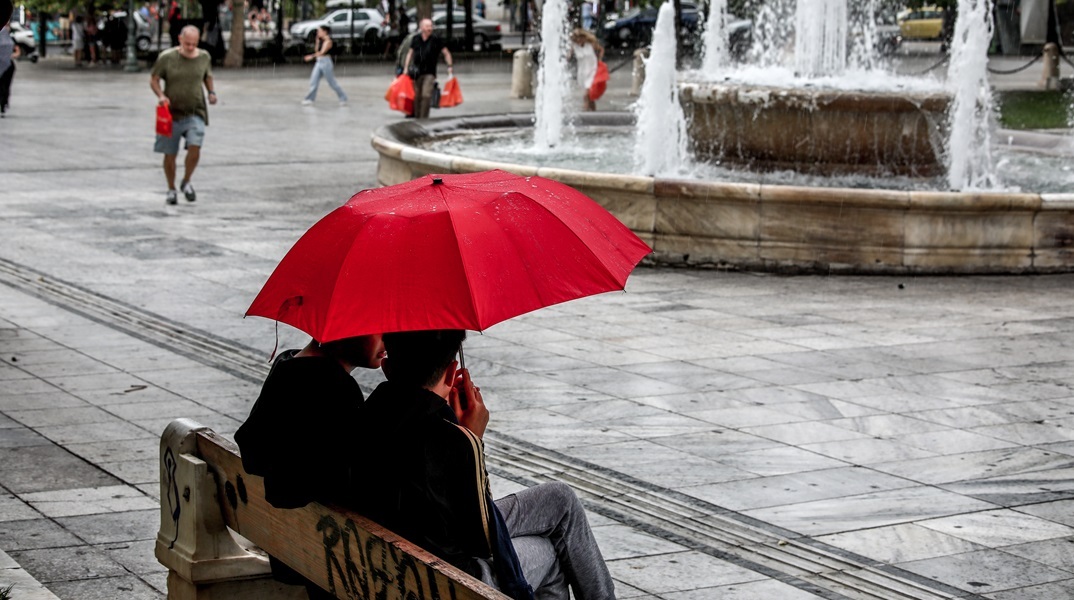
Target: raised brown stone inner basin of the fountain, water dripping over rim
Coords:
[[818, 130]]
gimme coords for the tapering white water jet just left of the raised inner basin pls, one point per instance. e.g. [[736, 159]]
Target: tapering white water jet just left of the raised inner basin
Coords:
[[661, 136]]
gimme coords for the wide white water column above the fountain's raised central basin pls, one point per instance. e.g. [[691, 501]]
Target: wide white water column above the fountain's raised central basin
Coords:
[[821, 38]]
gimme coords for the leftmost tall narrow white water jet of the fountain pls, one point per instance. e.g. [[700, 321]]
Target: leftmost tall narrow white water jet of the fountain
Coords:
[[554, 85]]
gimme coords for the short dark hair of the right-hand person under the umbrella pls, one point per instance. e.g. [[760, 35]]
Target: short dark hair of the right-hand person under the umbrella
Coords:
[[422, 358]]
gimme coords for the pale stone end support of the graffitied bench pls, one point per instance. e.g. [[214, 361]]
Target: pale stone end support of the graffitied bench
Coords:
[[205, 560]]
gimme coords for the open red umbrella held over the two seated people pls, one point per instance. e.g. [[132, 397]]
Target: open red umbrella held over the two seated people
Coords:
[[448, 252]]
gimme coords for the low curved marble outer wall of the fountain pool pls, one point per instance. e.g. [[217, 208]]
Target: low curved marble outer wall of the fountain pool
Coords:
[[775, 227]]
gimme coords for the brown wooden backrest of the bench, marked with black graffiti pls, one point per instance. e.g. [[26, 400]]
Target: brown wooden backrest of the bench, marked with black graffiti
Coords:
[[341, 551]]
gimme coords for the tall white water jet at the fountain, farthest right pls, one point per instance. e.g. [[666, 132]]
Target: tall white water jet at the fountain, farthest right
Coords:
[[969, 155]]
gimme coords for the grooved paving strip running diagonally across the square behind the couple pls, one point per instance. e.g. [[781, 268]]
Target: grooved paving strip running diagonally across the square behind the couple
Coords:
[[792, 559]]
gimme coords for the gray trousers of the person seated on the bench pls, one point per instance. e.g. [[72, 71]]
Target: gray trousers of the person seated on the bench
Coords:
[[555, 545]]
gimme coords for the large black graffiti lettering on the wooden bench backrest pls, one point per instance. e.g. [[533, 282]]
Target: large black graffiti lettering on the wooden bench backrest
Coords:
[[369, 570]]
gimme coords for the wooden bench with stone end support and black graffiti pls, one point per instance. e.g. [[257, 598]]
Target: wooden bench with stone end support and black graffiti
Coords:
[[216, 528]]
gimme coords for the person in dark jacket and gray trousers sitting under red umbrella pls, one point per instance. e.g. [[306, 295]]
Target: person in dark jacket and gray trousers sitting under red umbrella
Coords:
[[434, 491]]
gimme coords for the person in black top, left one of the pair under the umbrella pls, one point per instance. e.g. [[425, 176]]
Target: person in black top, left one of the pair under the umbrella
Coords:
[[298, 430]]
